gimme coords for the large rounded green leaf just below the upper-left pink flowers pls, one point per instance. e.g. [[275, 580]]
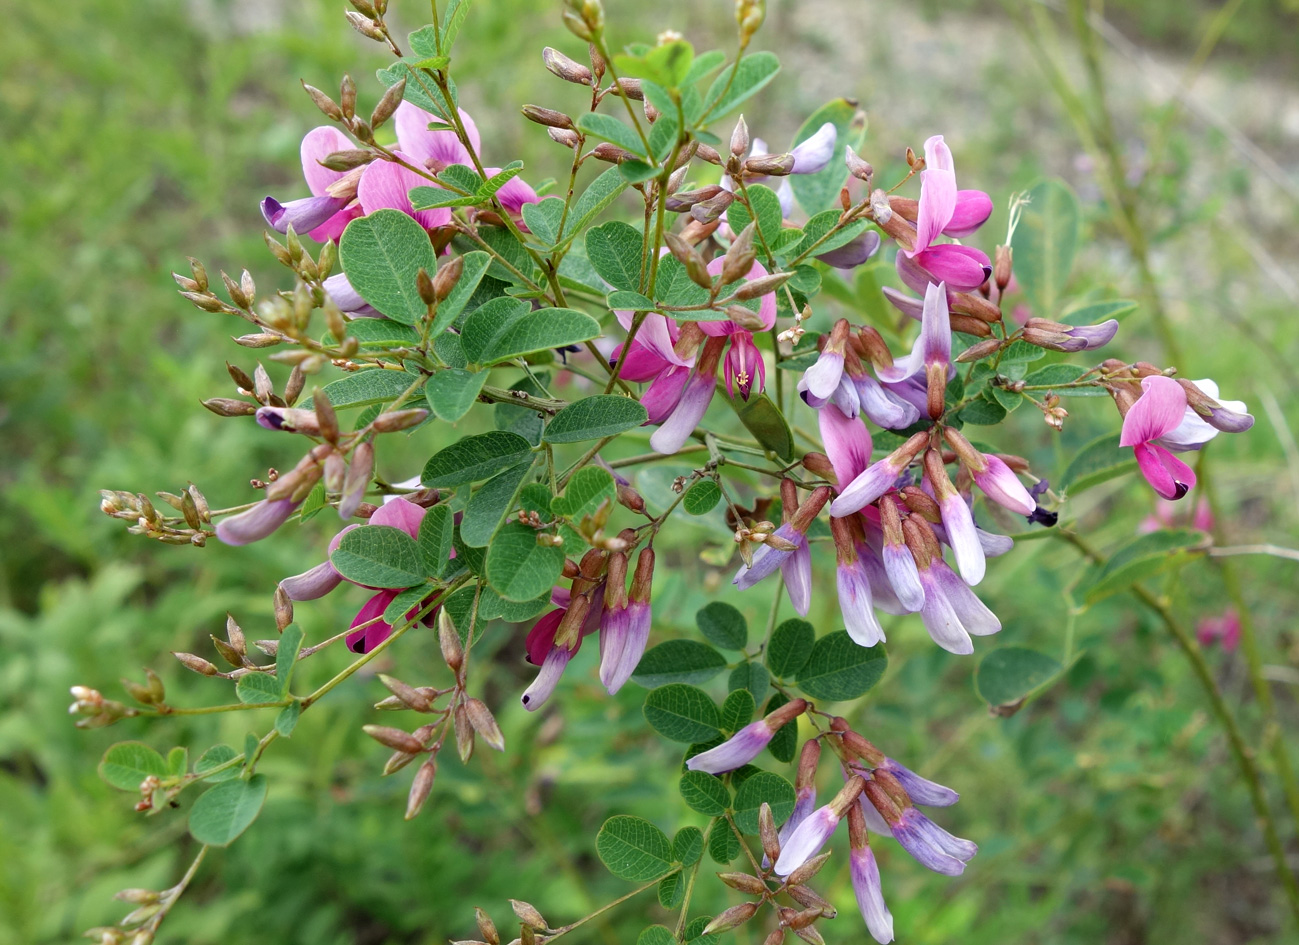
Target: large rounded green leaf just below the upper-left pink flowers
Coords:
[[381, 254]]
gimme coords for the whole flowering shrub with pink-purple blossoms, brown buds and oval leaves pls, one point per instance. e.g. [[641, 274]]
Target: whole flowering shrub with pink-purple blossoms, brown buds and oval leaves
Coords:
[[681, 291]]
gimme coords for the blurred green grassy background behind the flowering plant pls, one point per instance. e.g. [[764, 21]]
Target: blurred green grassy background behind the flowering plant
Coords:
[[1107, 812]]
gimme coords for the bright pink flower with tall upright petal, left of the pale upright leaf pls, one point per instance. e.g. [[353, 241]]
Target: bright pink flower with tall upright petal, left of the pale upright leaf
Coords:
[[946, 211]]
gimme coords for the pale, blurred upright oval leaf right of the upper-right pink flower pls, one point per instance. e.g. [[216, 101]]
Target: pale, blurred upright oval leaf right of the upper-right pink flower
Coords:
[[1045, 244]]
